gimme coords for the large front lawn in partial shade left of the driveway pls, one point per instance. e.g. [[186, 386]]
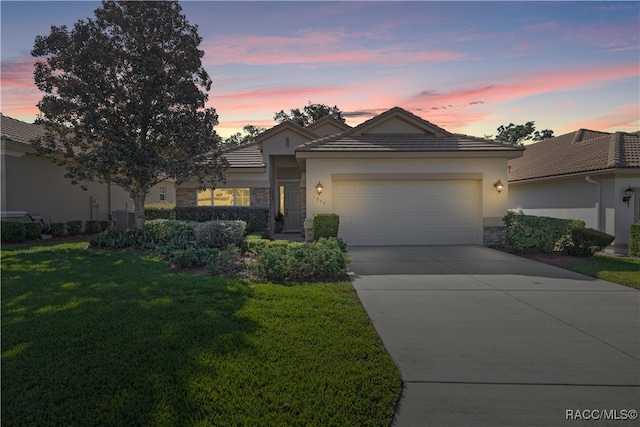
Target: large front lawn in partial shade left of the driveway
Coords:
[[118, 338]]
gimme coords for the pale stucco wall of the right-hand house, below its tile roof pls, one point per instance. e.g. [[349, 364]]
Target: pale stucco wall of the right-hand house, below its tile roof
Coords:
[[598, 203]]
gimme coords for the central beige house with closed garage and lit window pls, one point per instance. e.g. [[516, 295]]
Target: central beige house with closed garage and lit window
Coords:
[[395, 179]]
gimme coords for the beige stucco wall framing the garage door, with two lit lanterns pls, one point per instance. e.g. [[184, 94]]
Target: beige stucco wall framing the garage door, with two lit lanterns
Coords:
[[486, 170]]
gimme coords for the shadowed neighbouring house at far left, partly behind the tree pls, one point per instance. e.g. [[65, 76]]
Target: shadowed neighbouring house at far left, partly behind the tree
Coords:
[[35, 185]]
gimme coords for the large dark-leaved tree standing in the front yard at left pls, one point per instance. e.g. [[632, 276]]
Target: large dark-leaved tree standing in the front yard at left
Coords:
[[125, 98]]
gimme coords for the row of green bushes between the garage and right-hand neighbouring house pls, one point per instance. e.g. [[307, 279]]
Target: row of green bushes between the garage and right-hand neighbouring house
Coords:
[[536, 234]]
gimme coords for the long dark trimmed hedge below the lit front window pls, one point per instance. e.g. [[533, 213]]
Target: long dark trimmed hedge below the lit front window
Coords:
[[257, 219]]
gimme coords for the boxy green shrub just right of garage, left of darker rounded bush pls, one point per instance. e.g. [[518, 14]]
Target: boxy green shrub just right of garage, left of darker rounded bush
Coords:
[[527, 233]]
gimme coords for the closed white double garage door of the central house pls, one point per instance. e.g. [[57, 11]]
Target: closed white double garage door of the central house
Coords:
[[408, 212]]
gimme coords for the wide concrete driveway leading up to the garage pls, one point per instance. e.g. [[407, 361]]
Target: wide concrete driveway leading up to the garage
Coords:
[[484, 338]]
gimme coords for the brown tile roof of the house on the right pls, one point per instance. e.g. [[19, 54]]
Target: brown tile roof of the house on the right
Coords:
[[580, 151]]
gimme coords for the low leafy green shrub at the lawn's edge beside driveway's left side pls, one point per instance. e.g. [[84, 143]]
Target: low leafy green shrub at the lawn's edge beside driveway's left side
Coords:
[[298, 261]]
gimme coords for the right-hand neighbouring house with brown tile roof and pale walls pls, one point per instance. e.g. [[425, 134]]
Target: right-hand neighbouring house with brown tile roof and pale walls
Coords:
[[581, 175]]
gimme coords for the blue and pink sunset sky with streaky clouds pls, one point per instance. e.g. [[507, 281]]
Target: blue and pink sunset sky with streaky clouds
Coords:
[[465, 66]]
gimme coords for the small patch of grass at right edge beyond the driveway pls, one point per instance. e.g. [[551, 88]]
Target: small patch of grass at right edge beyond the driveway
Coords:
[[625, 271]]
